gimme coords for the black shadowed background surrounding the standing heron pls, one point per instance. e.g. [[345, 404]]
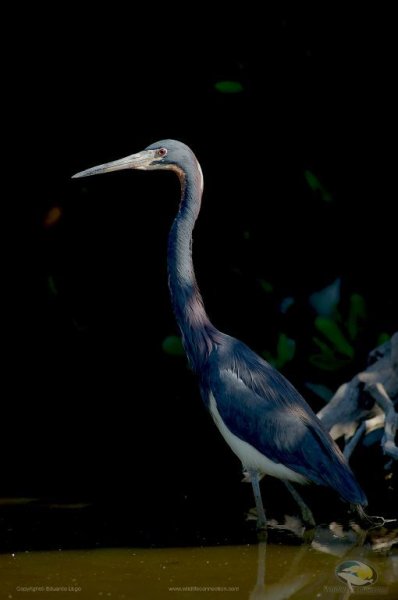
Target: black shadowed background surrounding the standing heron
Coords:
[[94, 410]]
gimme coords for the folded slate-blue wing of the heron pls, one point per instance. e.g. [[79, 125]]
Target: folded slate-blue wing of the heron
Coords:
[[259, 405]]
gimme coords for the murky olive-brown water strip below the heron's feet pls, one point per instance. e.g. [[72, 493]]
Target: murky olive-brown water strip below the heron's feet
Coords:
[[269, 571]]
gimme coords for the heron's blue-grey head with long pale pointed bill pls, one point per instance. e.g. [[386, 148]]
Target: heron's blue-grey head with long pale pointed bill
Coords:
[[166, 154]]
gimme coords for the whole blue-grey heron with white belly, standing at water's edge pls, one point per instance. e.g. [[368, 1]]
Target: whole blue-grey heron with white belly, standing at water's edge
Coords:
[[262, 417]]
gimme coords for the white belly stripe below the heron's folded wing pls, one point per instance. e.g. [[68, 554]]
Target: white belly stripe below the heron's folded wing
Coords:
[[249, 456]]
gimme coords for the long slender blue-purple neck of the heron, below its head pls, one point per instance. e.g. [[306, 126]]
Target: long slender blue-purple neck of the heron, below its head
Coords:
[[196, 328]]
